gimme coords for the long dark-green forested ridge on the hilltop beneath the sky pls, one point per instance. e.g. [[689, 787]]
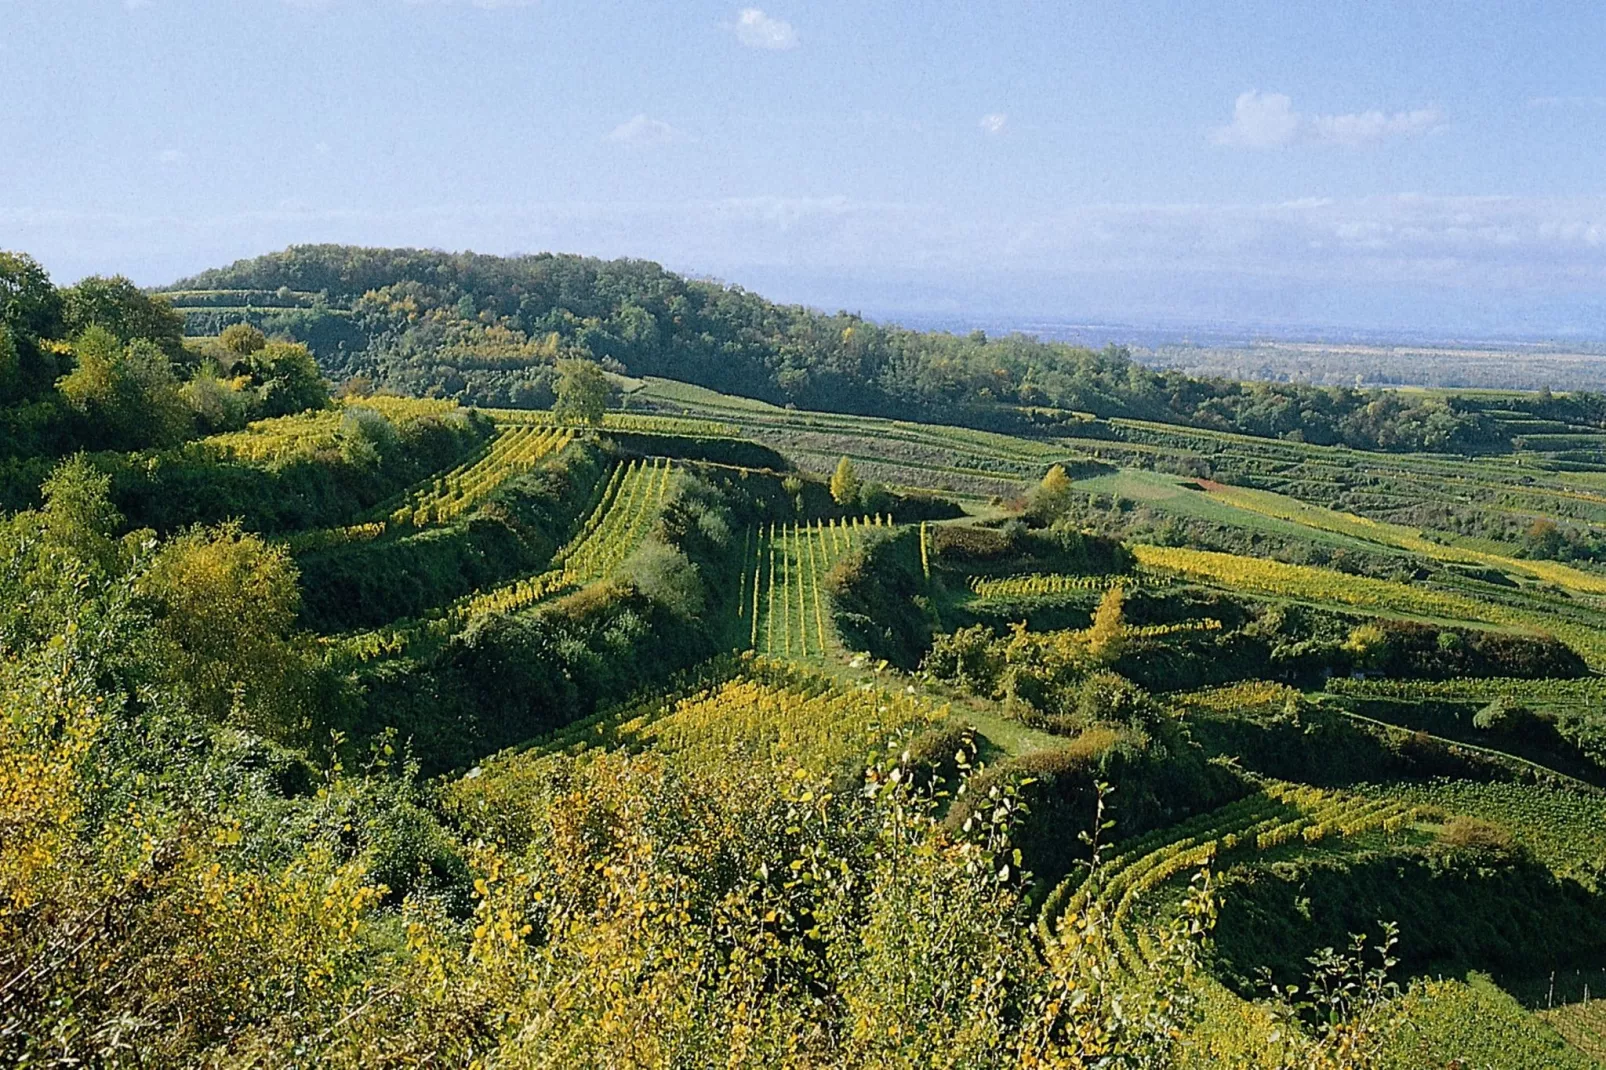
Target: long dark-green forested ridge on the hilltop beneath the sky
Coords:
[[487, 330]]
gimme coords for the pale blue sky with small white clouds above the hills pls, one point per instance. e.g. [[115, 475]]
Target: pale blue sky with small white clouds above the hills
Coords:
[[1437, 166]]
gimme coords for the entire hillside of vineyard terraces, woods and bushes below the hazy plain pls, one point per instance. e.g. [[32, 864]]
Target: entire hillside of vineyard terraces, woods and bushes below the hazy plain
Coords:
[[422, 660]]
